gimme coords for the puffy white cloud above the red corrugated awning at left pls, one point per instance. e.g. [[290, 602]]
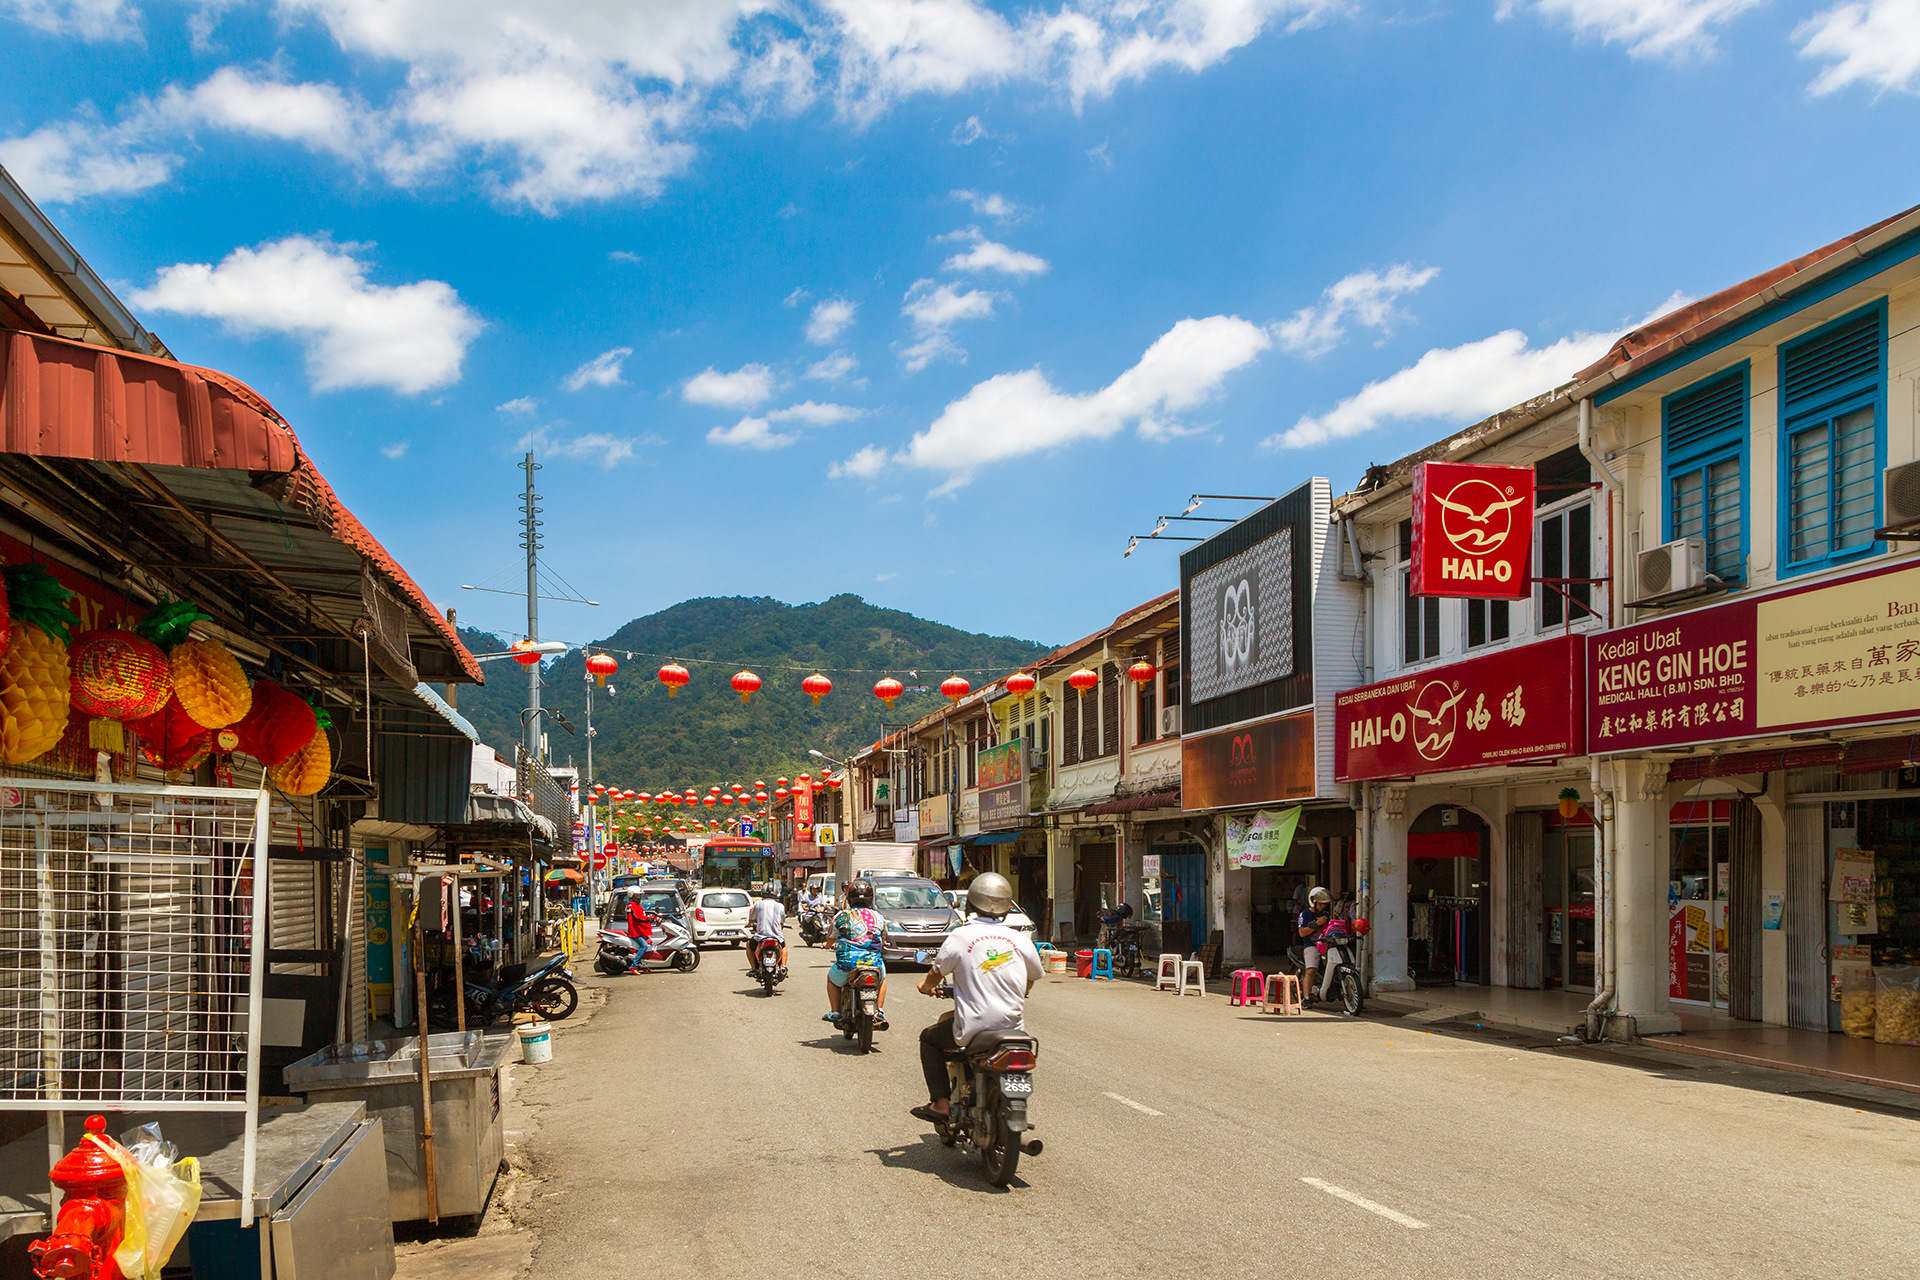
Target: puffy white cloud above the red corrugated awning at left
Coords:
[[408, 337]]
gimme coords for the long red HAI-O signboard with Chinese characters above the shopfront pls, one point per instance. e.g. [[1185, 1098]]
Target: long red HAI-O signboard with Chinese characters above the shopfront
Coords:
[[1502, 709]]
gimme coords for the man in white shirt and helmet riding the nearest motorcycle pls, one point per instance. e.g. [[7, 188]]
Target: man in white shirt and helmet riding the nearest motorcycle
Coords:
[[992, 968]]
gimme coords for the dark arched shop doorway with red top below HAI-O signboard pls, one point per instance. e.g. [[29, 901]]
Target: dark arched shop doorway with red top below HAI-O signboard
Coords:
[[1449, 897]]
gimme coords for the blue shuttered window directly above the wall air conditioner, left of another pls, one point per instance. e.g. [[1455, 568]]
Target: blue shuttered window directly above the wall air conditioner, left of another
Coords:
[[1704, 446]]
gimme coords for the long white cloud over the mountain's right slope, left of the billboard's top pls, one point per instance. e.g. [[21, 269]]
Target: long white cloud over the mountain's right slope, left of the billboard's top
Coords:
[[1020, 414]]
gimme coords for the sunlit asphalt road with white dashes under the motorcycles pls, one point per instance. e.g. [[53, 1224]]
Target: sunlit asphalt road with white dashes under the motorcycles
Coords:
[[694, 1127]]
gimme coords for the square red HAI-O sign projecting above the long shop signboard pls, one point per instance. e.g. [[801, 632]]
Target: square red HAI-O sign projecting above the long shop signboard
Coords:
[[1474, 529]]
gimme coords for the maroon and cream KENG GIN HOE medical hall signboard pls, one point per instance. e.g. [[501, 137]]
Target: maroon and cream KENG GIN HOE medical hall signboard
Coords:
[[1836, 653]]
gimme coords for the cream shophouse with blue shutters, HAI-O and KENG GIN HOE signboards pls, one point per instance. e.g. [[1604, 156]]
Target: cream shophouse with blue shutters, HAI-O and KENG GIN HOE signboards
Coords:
[[1739, 751]]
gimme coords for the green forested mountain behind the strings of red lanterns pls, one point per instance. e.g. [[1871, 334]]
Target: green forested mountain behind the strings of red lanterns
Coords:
[[706, 736]]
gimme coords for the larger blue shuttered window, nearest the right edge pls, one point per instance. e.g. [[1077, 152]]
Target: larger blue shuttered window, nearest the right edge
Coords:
[[1835, 444]]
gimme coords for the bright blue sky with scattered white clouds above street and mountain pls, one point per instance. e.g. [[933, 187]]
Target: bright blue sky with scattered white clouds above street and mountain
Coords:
[[928, 300]]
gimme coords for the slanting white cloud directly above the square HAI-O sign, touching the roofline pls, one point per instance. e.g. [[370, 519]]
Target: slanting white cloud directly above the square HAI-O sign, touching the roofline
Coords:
[[1458, 385]]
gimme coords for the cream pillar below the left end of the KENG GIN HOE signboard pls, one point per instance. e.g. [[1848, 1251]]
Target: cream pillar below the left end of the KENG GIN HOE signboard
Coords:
[[1641, 874]]
